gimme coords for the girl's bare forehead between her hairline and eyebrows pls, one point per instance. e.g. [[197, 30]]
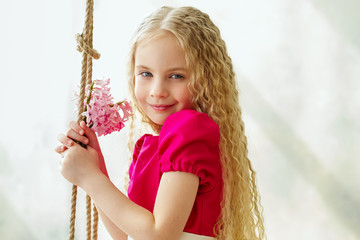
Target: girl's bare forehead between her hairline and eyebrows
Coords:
[[160, 50]]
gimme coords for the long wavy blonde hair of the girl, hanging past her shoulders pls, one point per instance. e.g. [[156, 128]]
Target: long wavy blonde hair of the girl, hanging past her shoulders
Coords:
[[214, 91]]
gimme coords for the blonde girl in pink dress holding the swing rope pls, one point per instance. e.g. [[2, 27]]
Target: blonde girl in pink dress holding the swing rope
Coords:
[[191, 178]]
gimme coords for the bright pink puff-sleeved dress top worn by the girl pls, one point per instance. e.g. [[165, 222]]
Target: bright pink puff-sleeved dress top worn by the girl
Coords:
[[188, 142]]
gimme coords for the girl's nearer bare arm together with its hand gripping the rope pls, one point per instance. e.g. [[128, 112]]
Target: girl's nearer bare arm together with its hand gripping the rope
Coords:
[[174, 201]]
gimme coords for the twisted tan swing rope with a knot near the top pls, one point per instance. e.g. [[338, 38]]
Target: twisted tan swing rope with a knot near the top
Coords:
[[85, 46]]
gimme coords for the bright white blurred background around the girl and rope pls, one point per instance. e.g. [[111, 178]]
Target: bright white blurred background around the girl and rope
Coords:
[[298, 66]]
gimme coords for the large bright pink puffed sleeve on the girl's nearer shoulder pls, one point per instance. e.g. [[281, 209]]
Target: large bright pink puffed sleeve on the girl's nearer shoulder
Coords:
[[189, 142]]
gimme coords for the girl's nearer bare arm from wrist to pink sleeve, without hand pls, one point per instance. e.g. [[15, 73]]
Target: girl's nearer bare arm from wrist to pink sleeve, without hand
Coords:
[[174, 201]]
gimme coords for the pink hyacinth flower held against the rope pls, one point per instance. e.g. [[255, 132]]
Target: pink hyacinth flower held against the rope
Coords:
[[100, 112]]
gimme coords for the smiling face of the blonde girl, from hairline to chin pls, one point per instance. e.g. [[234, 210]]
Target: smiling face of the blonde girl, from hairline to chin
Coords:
[[161, 77]]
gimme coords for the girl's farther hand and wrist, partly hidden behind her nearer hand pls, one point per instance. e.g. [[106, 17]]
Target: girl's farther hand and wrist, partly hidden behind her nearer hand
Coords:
[[80, 132]]
